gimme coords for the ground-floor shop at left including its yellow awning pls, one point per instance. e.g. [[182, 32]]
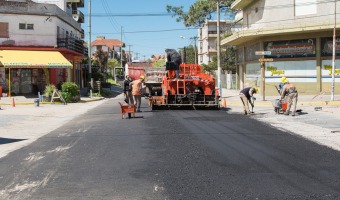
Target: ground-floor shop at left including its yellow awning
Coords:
[[28, 72]]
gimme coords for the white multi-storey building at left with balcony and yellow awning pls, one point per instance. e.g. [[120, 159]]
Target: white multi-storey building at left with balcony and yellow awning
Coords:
[[40, 43]]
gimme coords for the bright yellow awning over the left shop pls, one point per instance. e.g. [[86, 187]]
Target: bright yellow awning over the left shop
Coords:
[[33, 59]]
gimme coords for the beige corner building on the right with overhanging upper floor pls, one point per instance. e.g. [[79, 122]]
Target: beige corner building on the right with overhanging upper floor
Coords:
[[295, 36]]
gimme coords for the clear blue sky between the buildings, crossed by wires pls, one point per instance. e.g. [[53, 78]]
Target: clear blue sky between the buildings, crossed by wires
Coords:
[[147, 35]]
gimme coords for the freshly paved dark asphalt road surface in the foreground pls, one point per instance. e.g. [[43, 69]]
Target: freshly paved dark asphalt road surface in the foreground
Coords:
[[170, 155]]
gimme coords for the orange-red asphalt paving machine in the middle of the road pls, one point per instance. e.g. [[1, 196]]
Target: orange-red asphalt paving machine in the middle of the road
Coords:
[[192, 88]]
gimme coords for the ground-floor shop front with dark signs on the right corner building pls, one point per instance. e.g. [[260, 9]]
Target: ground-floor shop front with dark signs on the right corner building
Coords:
[[306, 62]]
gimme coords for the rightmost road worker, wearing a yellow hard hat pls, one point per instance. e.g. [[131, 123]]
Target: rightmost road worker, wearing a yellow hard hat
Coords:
[[290, 94]]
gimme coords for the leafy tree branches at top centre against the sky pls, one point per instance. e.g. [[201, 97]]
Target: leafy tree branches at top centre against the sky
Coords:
[[198, 12]]
